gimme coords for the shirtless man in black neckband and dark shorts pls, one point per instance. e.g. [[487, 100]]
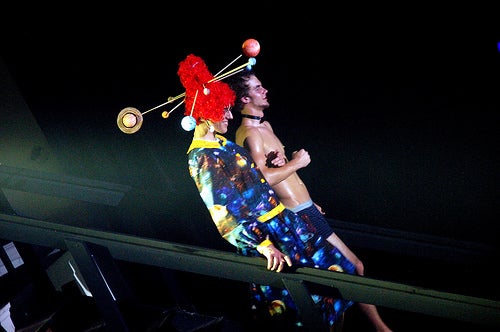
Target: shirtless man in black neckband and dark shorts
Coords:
[[258, 137]]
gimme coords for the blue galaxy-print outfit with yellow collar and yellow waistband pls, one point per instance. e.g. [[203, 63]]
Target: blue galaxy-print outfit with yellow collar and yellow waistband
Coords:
[[246, 212]]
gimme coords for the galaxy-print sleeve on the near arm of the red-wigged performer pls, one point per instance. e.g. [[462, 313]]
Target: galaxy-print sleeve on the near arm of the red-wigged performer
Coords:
[[225, 201]]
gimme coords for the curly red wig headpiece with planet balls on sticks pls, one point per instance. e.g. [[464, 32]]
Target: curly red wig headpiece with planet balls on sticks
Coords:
[[205, 95]]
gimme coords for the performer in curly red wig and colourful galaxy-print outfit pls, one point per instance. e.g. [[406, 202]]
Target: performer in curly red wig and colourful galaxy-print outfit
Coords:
[[244, 208]]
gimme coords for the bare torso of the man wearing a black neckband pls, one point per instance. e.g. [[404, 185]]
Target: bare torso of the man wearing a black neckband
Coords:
[[291, 190]]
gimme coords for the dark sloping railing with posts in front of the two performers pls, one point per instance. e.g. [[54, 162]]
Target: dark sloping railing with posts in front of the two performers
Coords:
[[91, 248]]
